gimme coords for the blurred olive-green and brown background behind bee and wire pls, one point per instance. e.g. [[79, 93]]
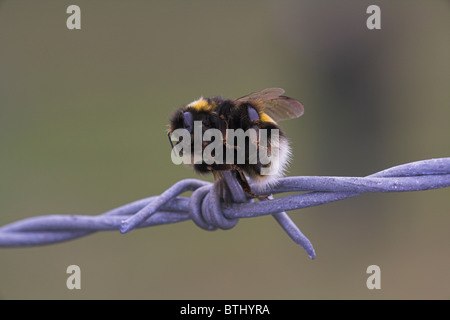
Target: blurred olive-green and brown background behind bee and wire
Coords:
[[83, 115]]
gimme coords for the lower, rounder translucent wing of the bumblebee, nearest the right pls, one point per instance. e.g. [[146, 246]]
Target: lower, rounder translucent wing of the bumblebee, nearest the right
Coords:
[[282, 108]]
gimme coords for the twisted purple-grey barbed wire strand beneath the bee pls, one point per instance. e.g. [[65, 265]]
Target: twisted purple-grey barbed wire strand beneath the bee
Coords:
[[205, 208]]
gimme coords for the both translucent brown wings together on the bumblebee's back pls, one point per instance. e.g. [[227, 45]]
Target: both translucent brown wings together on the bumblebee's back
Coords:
[[275, 105]]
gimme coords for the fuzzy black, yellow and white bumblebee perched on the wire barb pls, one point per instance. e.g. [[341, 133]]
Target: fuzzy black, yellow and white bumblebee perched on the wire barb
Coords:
[[258, 110]]
